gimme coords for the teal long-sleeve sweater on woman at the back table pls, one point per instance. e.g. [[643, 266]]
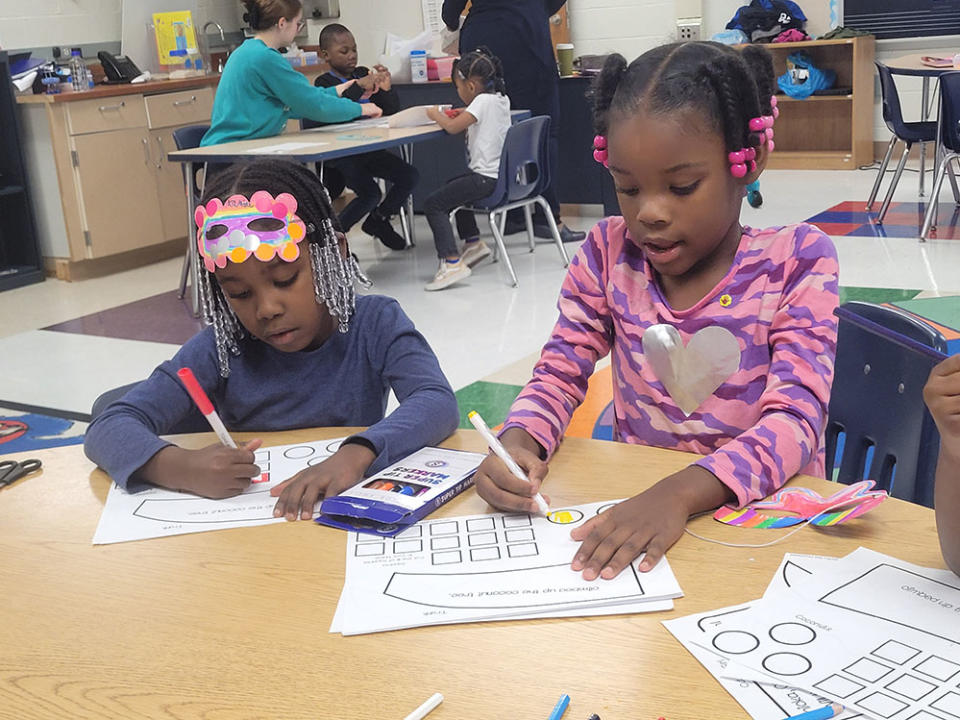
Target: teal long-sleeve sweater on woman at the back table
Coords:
[[259, 91]]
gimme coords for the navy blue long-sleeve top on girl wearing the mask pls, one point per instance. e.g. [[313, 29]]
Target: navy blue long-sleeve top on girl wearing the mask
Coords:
[[344, 382]]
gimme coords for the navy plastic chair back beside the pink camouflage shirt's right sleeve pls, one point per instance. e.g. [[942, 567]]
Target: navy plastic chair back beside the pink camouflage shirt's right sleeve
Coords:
[[884, 356]]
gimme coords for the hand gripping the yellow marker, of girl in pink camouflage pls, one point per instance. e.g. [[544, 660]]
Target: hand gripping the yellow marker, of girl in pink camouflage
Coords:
[[499, 487]]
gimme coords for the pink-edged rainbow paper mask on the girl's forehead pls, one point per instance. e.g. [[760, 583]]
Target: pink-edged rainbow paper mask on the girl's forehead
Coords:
[[262, 225]]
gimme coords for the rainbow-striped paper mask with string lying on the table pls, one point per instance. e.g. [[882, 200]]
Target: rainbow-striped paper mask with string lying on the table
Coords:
[[854, 500]]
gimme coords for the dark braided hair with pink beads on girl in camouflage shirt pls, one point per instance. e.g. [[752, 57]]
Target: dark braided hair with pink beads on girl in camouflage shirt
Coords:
[[732, 90]]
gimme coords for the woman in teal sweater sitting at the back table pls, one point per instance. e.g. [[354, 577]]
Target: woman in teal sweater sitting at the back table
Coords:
[[259, 90]]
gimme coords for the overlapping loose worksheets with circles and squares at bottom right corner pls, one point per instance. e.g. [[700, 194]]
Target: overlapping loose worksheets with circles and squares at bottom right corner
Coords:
[[880, 636]]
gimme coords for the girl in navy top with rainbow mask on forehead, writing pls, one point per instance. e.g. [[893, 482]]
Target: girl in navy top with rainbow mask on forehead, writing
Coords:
[[289, 347]]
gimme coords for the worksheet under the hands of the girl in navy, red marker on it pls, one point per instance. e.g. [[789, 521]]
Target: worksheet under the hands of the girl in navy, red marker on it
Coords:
[[155, 512]]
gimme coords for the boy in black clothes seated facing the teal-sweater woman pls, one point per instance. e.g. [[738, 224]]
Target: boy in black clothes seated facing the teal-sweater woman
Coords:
[[360, 172]]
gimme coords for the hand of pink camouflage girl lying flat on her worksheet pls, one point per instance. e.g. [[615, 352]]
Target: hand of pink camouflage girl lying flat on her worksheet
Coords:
[[650, 522]]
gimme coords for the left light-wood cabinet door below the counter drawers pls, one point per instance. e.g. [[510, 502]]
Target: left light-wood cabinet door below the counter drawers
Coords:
[[117, 185]]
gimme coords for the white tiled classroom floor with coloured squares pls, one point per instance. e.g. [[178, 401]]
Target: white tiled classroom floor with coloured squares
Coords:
[[65, 343]]
